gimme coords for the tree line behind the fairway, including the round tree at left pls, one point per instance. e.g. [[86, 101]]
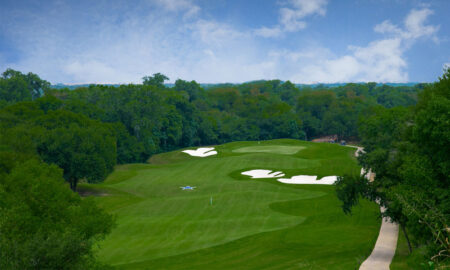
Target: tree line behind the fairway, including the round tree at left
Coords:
[[105, 125]]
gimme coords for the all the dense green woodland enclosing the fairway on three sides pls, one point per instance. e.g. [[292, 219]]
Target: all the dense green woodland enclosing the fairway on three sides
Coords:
[[80, 135]]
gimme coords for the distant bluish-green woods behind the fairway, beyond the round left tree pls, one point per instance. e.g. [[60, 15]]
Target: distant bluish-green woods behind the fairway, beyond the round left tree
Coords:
[[158, 118]]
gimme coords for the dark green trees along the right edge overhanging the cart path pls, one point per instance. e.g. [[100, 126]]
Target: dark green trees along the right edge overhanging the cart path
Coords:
[[408, 151]]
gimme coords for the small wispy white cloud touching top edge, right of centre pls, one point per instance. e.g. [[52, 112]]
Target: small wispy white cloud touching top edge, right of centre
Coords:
[[292, 16]]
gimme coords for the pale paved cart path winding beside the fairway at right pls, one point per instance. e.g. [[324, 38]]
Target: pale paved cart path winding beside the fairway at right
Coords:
[[384, 249]]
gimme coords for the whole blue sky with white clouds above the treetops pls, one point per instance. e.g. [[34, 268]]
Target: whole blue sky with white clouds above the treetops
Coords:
[[216, 41]]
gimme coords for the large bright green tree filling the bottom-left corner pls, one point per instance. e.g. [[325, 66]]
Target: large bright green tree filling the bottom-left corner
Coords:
[[43, 225]]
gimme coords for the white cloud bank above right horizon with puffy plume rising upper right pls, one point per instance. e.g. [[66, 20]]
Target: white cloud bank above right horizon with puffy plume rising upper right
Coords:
[[381, 60]]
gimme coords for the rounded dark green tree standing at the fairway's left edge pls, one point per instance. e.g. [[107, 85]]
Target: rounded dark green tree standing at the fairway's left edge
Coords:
[[83, 148]]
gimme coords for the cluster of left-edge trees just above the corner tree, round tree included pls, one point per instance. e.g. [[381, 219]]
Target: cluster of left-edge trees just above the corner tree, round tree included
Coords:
[[83, 148]]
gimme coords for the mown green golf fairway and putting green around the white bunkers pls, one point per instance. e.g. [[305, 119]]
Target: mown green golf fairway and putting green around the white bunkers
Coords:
[[252, 224]]
